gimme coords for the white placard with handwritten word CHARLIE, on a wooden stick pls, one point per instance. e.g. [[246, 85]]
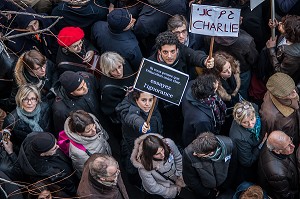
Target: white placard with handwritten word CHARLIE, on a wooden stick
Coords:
[[214, 20]]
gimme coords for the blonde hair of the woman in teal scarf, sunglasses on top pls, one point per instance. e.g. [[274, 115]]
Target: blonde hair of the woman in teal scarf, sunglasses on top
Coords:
[[240, 111]]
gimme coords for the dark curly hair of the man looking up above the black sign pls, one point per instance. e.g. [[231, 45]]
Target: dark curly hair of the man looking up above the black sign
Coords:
[[166, 38]]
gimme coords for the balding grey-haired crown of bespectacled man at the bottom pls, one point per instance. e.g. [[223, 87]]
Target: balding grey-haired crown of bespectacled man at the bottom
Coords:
[[98, 168]]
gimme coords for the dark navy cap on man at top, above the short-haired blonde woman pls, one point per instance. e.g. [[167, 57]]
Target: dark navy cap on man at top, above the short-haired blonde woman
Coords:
[[118, 20]]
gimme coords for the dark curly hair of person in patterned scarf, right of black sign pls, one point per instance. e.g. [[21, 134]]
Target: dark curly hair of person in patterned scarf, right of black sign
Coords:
[[204, 86]]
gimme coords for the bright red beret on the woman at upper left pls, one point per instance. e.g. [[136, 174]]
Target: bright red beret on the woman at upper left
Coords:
[[69, 35]]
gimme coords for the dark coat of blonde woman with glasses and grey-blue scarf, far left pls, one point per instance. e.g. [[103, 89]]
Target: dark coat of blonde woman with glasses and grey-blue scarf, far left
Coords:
[[20, 129]]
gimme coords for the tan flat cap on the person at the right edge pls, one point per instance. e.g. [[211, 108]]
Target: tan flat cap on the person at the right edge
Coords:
[[280, 85]]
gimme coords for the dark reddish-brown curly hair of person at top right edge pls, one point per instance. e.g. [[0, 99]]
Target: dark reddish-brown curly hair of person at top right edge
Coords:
[[291, 25]]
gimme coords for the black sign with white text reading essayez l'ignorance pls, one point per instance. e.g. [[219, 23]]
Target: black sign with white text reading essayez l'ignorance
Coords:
[[162, 81]]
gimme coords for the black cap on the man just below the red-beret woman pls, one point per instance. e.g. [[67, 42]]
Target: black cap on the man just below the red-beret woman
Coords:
[[70, 81]]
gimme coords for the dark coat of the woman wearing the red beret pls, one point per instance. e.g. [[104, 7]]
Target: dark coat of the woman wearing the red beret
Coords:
[[64, 56]]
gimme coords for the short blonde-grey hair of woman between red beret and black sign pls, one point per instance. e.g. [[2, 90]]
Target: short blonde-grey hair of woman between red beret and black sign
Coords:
[[109, 61]]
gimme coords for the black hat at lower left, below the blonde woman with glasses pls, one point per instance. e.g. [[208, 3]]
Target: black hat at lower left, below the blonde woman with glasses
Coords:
[[43, 142]]
